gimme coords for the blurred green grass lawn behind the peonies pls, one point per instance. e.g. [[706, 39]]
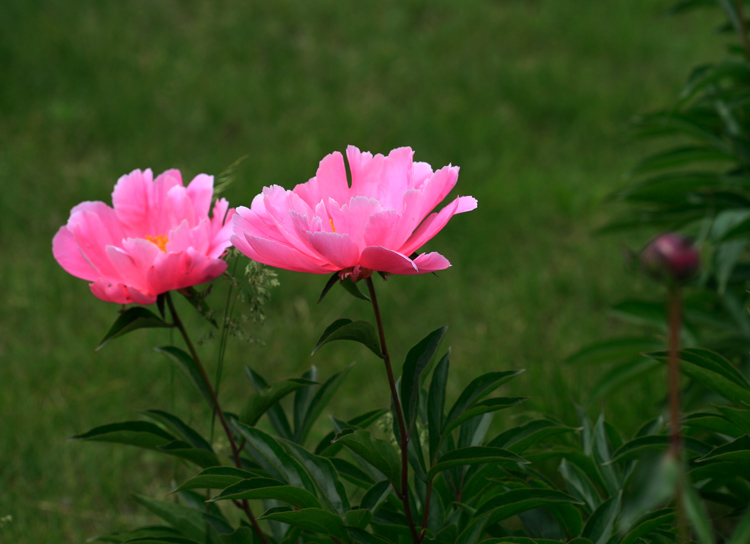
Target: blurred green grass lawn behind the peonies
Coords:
[[529, 97]]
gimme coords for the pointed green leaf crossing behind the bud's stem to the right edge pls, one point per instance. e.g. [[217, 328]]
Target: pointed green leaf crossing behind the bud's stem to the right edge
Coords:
[[712, 371]]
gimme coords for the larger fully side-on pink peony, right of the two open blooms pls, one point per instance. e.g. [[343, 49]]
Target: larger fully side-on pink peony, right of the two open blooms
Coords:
[[324, 225]]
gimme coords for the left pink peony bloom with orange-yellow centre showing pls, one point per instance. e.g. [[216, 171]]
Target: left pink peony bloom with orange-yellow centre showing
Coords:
[[158, 237]]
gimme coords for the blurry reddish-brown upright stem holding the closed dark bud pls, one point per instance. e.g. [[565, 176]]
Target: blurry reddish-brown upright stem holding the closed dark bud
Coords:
[[674, 303]]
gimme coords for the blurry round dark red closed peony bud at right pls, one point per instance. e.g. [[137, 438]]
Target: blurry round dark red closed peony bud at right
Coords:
[[671, 257]]
